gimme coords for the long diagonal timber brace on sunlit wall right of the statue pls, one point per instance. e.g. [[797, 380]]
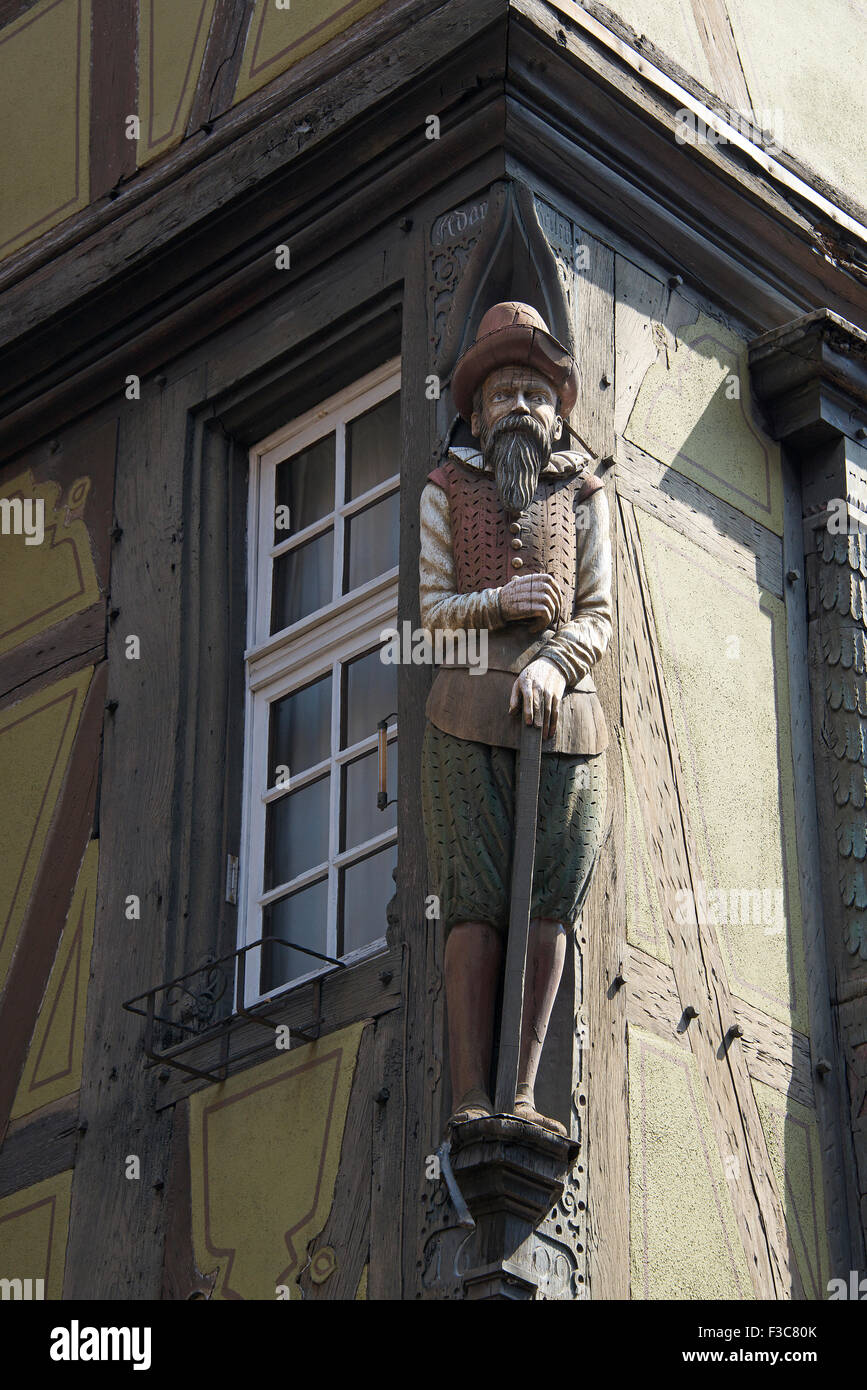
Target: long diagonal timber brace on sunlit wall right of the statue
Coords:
[[701, 979]]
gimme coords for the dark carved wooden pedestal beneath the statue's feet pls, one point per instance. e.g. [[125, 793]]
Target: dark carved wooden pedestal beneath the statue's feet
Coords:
[[511, 1175]]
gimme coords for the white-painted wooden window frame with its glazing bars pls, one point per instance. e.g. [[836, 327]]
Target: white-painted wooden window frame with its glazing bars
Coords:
[[313, 647]]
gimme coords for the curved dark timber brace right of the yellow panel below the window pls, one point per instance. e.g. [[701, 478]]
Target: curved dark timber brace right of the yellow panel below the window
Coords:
[[348, 1227]]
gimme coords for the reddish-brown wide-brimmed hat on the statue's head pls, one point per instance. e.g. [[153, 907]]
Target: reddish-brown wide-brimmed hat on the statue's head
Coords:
[[515, 336]]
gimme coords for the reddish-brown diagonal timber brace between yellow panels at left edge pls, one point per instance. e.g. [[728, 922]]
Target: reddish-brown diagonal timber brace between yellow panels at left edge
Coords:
[[51, 897]]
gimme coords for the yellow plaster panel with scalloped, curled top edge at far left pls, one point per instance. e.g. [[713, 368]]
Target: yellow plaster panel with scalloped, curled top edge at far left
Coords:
[[44, 584]]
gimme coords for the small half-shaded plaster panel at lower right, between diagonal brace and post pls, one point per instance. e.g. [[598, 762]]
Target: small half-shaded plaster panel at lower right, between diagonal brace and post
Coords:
[[795, 1152]]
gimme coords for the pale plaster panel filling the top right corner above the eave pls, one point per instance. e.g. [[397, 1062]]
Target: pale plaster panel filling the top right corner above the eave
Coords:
[[804, 63]]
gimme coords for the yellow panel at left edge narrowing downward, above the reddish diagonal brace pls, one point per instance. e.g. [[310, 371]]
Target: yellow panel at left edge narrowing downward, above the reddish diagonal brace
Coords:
[[37, 739]]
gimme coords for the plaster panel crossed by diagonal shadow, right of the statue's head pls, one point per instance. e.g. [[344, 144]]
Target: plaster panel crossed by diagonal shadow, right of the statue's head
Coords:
[[694, 415]]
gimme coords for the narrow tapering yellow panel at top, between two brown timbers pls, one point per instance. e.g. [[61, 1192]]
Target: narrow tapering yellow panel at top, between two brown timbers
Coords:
[[172, 47]]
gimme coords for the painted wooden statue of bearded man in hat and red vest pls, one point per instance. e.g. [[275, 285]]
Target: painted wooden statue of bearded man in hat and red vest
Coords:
[[515, 544]]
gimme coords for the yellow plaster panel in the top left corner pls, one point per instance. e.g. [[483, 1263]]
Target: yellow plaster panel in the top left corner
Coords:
[[45, 115]]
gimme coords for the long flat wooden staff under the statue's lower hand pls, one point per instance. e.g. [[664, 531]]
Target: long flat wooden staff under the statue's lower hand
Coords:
[[523, 862]]
